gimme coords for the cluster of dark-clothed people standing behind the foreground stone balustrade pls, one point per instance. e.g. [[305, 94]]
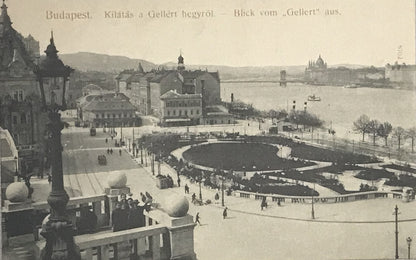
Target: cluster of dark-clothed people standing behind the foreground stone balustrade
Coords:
[[129, 213]]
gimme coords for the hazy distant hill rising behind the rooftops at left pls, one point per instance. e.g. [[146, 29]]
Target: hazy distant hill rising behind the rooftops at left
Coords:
[[86, 61]]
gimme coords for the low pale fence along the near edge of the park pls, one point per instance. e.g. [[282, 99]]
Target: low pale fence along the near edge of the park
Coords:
[[330, 199]]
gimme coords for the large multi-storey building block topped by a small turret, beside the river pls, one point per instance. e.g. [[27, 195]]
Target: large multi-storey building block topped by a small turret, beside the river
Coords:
[[146, 89]]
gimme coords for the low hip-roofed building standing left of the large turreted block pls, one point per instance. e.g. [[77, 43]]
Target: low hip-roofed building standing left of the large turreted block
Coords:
[[107, 110]]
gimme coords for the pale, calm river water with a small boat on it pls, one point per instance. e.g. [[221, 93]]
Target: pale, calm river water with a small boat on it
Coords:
[[338, 106]]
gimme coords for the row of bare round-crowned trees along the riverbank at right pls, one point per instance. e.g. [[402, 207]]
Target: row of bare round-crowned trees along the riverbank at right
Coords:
[[374, 128]]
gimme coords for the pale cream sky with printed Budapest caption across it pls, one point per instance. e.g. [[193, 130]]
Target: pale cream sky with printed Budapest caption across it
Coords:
[[366, 32]]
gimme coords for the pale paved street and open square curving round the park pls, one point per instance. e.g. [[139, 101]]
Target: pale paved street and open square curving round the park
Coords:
[[355, 230]]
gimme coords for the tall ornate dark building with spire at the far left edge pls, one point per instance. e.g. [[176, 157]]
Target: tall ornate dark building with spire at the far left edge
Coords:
[[20, 111]]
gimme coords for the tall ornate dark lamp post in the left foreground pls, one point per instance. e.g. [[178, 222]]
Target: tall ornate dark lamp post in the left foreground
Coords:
[[58, 231]]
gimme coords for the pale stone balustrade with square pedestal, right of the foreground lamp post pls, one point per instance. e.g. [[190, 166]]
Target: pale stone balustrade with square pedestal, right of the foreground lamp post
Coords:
[[163, 237]]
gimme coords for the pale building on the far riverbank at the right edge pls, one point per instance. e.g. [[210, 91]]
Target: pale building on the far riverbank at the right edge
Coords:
[[401, 75]]
